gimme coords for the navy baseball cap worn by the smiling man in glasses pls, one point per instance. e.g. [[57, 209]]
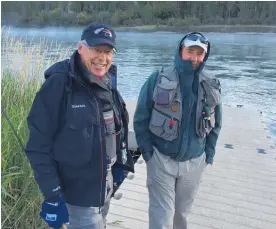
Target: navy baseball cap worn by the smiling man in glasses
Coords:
[[96, 34]]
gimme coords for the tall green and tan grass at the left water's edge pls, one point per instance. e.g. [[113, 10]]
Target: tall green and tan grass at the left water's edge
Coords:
[[22, 75]]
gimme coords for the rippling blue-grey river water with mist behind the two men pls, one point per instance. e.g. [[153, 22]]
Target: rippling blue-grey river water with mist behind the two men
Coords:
[[245, 63]]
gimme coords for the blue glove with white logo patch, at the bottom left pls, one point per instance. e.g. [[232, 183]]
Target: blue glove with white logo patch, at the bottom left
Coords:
[[55, 214]]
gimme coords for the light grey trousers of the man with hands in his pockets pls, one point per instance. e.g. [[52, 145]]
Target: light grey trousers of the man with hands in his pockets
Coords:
[[172, 187]]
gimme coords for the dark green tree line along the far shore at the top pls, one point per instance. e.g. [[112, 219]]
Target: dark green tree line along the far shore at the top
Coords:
[[136, 13]]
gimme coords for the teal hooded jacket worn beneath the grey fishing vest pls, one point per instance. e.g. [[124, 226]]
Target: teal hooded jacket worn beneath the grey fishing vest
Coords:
[[188, 145]]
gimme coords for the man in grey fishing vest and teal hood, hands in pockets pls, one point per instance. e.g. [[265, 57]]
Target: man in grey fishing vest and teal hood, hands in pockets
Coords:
[[177, 123]]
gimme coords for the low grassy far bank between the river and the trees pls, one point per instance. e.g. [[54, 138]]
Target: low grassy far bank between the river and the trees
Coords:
[[202, 28]]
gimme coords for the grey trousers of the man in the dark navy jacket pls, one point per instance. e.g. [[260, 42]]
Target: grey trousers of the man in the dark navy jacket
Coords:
[[90, 217]]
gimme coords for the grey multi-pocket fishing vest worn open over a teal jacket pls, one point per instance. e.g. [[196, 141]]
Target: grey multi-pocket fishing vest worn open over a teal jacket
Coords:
[[167, 110]]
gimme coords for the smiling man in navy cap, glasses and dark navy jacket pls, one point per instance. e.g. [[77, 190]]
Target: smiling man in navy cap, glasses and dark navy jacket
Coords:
[[78, 129]]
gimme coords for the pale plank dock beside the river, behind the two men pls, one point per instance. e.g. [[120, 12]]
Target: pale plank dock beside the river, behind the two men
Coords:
[[237, 192]]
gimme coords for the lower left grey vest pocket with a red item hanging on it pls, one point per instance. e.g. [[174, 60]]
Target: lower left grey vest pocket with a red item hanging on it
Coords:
[[163, 126]]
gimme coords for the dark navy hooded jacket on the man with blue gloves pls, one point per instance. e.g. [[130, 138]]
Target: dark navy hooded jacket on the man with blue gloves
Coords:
[[67, 147]]
